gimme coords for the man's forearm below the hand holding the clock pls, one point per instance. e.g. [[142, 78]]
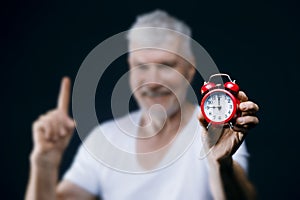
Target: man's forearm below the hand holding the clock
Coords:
[[229, 181]]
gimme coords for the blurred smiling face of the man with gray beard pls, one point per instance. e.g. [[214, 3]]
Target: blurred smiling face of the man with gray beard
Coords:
[[159, 77]]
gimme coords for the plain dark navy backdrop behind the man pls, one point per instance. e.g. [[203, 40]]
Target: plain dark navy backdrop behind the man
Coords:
[[256, 42]]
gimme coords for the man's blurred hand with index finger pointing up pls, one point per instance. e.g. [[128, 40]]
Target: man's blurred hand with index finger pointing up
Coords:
[[53, 130]]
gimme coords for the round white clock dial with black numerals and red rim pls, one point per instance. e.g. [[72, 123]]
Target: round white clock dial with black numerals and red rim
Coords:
[[218, 106]]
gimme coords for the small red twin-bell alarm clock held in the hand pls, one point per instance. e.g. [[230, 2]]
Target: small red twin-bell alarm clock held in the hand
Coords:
[[219, 104]]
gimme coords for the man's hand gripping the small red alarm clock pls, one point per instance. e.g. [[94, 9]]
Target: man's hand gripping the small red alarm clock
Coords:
[[221, 142]]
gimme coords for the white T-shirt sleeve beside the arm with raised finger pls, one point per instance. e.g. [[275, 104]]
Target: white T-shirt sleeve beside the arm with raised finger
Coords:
[[83, 172]]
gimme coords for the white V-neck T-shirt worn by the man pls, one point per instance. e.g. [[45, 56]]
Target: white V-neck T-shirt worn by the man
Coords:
[[104, 170]]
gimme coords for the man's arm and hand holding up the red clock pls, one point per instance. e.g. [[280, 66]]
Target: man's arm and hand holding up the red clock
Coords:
[[227, 179]]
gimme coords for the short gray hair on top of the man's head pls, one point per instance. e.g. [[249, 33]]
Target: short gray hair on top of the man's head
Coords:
[[159, 28]]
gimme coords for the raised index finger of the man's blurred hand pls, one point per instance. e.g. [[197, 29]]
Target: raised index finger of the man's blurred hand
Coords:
[[64, 95]]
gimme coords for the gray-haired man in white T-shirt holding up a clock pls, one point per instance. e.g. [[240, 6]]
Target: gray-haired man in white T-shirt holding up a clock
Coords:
[[159, 80]]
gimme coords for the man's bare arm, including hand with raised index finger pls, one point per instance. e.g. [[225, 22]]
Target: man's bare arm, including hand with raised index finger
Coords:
[[51, 134]]
